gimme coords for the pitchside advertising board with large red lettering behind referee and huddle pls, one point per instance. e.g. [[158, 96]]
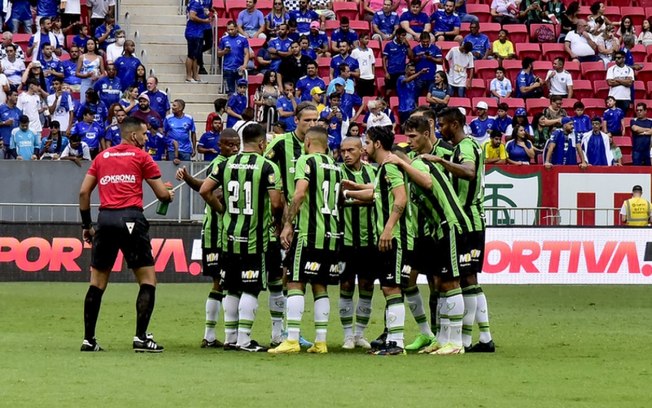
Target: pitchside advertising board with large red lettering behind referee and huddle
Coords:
[[55, 252]]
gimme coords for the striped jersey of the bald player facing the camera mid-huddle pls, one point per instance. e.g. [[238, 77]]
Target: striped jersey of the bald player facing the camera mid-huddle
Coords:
[[358, 220]]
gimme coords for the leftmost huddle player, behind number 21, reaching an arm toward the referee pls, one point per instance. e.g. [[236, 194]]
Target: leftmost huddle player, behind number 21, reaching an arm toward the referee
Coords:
[[211, 237]]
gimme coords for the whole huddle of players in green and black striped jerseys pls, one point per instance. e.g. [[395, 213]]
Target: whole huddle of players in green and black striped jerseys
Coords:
[[410, 215]]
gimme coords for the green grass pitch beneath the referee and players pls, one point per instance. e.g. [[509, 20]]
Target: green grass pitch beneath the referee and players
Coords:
[[558, 346]]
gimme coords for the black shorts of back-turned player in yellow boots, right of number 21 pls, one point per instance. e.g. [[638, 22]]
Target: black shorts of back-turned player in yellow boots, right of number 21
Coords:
[[314, 266]]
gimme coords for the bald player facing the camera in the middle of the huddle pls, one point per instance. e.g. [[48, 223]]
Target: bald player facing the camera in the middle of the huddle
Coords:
[[358, 250]]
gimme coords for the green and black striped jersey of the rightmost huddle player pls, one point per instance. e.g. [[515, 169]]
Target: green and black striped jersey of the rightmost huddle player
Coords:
[[471, 192]]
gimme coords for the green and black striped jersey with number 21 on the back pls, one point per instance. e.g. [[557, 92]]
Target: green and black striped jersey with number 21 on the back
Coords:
[[245, 180]]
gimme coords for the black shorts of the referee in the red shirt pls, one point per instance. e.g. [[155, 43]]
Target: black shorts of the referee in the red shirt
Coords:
[[126, 230]]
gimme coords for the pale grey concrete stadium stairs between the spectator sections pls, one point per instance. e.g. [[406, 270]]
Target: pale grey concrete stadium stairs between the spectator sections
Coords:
[[158, 28]]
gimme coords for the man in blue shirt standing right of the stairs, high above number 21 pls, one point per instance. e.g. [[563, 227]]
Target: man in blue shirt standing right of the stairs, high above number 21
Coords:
[[234, 51]]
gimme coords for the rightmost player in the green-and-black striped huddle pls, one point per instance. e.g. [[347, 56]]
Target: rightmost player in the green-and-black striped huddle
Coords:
[[467, 171]]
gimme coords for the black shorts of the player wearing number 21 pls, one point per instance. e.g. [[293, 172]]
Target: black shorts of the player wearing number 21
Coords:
[[244, 273]]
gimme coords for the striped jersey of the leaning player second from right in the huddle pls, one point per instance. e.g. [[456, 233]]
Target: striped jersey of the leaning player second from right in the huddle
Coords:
[[439, 204]]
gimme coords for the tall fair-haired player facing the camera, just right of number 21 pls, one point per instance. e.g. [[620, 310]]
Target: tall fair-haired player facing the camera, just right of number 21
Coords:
[[284, 151]]
